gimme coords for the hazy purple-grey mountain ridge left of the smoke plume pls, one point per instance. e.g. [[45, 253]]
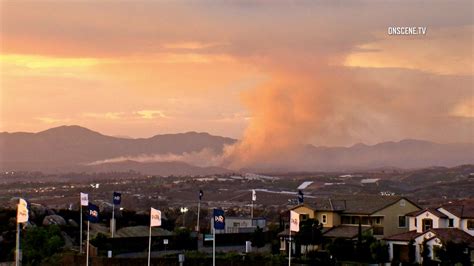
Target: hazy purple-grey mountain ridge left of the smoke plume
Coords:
[[75, 144]]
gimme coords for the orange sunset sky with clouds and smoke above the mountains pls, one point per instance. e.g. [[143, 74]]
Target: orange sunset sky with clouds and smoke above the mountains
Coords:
[[321, 72]]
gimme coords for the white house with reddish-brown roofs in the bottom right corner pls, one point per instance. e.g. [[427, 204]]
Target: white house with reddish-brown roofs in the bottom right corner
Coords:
[[434, 228]]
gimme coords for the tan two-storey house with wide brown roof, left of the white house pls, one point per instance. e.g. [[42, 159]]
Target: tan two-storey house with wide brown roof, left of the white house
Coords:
[[341, 216]]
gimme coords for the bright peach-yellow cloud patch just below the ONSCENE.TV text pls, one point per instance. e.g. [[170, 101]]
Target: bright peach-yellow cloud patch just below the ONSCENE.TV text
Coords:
[[436, 52]]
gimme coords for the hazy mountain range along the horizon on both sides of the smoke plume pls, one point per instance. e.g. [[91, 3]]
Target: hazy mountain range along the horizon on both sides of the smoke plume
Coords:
[[76, 149]]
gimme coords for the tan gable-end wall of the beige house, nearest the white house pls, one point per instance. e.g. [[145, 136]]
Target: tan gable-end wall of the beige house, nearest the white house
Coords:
[[391, 213]]
